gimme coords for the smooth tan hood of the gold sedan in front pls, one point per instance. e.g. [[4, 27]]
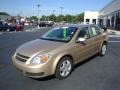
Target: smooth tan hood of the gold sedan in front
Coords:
[[38, 46]]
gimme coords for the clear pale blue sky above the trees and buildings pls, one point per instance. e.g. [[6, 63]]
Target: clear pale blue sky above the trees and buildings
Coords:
[[29, 7]]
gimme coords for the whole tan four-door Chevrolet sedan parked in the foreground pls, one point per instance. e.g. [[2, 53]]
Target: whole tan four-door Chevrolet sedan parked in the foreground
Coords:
[[57, 51]]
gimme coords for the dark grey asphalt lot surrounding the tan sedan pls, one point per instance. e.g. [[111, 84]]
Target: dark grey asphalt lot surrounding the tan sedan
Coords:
[[97, 73]]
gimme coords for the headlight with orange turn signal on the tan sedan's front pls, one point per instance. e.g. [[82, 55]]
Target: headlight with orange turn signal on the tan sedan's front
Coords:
[[39, 59]]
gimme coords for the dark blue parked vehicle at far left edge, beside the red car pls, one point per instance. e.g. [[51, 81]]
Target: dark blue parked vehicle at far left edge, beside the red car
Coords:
[[6, 27]]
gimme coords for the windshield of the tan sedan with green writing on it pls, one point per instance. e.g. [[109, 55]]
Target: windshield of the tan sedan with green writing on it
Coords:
[[63, 34]]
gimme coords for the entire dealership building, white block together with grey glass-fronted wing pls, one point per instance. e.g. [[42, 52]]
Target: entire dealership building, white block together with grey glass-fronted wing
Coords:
[[109, 16]]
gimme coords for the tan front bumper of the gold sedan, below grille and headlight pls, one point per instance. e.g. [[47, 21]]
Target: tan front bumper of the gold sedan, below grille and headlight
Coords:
[[34, 71]]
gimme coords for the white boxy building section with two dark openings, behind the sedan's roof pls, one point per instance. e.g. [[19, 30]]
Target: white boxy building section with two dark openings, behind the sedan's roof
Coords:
[[91, 17]]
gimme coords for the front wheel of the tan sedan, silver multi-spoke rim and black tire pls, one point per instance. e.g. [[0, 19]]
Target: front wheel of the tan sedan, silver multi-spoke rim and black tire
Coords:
[[64, 68]]
